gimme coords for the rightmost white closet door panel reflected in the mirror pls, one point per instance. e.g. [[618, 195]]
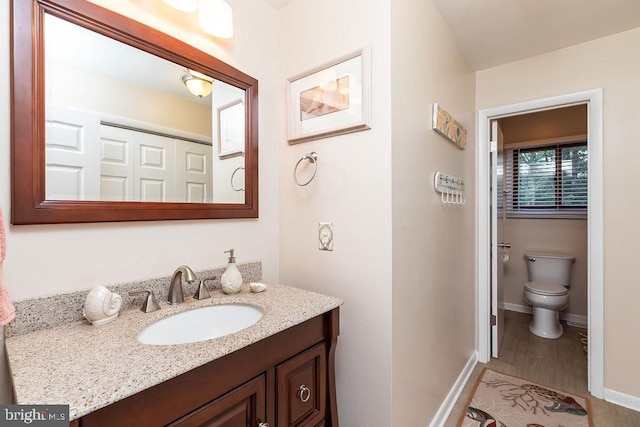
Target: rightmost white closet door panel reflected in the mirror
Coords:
[[193, 172]]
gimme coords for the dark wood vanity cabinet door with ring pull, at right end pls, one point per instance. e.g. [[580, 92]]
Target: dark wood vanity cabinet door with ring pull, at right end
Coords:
[[302, 388]]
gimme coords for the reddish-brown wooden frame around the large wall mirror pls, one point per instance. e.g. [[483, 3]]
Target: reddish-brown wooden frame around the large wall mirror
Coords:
[[28, 203]]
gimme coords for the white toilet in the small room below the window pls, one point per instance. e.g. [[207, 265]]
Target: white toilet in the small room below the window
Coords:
[[547, 291]]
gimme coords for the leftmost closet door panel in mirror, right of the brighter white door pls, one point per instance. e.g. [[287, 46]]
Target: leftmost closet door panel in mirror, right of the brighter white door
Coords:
[[116, 165]]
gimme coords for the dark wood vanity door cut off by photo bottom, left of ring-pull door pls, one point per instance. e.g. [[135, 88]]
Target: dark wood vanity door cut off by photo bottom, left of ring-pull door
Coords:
[[241, 407]]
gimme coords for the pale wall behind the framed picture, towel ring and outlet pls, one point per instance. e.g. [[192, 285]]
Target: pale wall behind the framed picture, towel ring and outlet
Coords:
[[352, 189]]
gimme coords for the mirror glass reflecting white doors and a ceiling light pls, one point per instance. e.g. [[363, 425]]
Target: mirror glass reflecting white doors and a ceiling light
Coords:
[[122, 125]]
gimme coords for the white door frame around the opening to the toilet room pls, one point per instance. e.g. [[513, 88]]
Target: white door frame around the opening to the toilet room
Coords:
[[595, 282]]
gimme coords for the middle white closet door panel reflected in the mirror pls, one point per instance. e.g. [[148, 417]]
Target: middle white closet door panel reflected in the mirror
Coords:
[[154, 168]]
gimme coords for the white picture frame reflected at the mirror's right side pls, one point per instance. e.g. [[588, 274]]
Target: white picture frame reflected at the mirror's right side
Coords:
[[231, 129]]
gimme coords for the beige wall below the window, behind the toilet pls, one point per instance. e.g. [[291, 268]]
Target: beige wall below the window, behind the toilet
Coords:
[[568, 236]]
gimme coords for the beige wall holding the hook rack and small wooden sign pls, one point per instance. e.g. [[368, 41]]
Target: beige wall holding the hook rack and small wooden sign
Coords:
[[433, 243]]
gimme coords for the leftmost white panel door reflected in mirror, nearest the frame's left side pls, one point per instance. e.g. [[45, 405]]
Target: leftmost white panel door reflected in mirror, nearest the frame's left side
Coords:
[[72, 154]]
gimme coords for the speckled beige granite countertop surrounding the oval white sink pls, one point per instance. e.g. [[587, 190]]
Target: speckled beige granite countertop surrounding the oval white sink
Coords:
[[88, 367]]
